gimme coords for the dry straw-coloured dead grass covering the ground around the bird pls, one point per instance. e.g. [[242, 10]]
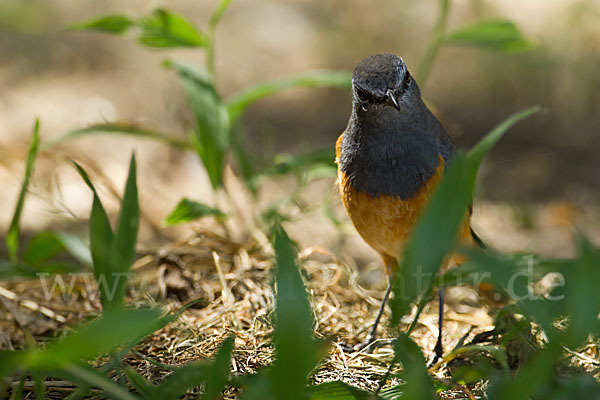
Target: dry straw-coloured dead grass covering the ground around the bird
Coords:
[[232, 288]]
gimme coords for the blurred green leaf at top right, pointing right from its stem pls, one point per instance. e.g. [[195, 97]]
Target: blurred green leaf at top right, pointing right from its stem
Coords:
[[496, 35]]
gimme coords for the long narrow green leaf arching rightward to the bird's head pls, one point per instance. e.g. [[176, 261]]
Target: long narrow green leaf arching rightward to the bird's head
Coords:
[[240, 101]]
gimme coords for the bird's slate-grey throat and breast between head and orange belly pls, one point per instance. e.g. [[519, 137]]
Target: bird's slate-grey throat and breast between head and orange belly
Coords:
[[391, 153]]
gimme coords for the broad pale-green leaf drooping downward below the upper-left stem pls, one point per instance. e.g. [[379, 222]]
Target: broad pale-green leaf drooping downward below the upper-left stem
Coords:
[[212, 131]]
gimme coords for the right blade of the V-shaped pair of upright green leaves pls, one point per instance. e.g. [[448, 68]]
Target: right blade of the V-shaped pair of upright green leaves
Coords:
[[123, 245]]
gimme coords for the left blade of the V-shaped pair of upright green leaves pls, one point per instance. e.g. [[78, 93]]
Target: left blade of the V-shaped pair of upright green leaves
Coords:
[[101, 242]]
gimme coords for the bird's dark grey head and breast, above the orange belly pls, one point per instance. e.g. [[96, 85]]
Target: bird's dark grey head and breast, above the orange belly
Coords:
[[393, 143]]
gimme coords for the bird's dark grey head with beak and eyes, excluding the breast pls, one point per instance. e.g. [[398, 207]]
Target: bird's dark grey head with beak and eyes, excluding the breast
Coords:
[[383, 81]]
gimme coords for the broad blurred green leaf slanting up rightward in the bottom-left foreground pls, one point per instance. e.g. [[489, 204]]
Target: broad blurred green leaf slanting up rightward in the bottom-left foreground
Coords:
[[98, 337]]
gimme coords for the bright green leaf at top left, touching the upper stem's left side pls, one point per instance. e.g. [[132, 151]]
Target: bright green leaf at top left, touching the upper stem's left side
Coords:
[[166, 29]]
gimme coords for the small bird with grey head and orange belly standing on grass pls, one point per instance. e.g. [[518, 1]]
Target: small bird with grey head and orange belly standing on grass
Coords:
[[390, 159]]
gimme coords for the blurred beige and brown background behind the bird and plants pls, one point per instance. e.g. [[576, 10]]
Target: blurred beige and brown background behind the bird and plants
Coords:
[[541, 180]]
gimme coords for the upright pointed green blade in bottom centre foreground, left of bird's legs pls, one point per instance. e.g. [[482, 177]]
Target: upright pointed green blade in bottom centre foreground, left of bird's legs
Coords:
[[296, 349]]
